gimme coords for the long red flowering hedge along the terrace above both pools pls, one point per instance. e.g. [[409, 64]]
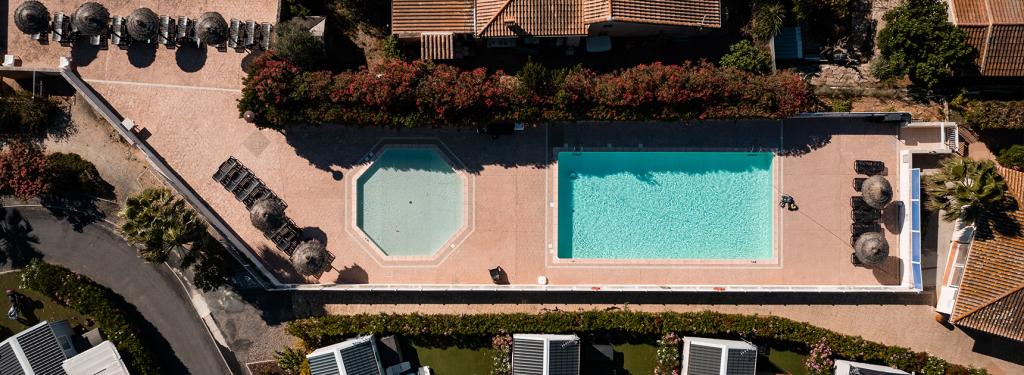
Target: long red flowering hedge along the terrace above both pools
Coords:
[[418, 94]]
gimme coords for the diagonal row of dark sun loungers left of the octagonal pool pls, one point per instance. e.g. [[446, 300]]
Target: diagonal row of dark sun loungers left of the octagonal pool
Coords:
[[248, 189]]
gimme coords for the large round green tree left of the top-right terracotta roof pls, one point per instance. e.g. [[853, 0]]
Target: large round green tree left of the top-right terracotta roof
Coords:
[[920, 41]]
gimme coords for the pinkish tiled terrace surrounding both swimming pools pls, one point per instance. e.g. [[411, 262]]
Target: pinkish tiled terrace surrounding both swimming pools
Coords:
[[194, 126]]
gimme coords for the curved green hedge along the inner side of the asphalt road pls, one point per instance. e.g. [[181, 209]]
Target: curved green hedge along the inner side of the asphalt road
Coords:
[[90, 299]]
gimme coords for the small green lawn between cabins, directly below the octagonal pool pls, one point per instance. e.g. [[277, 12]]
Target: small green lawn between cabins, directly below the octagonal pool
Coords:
[[450, 361]]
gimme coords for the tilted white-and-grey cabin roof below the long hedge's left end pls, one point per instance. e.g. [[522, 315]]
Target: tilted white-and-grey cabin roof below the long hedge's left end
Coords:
[[354, 357]]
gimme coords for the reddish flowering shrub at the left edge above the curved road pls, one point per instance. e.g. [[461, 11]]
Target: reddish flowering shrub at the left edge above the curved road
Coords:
[[23, 171]]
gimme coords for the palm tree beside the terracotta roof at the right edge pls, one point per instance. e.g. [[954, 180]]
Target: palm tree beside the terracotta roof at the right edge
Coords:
[[965, 188]]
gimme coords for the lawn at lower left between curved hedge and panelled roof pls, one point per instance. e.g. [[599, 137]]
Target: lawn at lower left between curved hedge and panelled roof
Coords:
[[35, 308]]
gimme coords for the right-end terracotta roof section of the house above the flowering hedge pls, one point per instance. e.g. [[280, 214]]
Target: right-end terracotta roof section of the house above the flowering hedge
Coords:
[[679, 13]]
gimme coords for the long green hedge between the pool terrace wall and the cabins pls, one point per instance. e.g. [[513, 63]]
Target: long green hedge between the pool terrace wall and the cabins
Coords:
[[317, 332]]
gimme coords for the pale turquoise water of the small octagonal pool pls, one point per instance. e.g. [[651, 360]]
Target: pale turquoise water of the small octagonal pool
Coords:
[[410, 202]]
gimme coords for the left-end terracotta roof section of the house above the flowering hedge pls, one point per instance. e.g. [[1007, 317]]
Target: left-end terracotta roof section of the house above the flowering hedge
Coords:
[[410, 18]]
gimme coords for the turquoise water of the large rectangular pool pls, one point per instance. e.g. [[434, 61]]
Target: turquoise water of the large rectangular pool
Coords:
[[665, 205]]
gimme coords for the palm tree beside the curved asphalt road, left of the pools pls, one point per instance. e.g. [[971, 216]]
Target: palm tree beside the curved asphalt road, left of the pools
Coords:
[[157, 222]]
